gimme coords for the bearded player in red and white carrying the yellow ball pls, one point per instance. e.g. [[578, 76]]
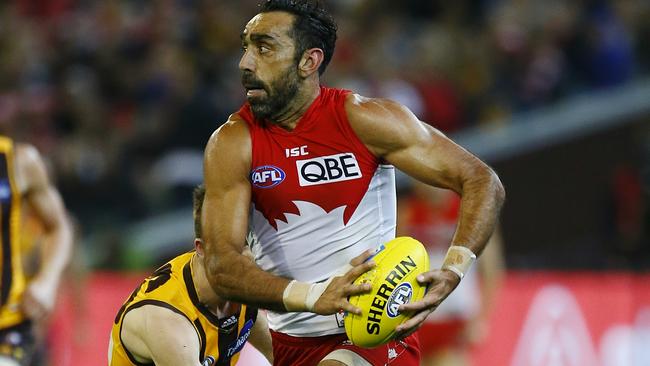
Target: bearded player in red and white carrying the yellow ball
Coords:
[[310, 171]]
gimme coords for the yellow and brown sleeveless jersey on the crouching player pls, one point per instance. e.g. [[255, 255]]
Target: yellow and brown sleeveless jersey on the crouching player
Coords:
[[171, 287]]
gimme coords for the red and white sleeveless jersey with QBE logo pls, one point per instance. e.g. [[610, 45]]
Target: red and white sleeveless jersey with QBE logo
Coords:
[[319, 198]]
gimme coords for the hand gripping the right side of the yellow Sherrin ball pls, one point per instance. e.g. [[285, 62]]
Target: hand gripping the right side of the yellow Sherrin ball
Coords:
[[441, 283]]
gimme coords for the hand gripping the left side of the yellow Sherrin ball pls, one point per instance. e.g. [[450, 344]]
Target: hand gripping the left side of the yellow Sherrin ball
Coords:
[[340, 288]]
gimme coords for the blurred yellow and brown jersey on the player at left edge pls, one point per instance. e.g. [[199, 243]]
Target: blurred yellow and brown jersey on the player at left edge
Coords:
[[12, 278]]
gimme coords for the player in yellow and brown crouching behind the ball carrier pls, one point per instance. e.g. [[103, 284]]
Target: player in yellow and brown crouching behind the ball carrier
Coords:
[[175, 318]]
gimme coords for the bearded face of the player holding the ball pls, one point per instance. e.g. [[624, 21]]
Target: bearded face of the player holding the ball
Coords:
[[268, 65]]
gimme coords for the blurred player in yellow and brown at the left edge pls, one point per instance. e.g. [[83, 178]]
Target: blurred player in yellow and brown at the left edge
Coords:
[[26, 303]]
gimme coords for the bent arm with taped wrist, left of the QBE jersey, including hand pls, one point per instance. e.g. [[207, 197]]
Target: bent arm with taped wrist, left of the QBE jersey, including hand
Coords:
[[232, 275]]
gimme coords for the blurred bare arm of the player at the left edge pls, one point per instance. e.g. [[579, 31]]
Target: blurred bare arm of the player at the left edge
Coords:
[[44, 199]]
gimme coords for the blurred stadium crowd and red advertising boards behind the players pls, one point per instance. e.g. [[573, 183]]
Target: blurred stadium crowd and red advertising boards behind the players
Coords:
[[121, 96]]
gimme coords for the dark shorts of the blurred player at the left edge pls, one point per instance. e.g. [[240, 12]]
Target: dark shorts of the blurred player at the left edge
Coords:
[[18, 343]]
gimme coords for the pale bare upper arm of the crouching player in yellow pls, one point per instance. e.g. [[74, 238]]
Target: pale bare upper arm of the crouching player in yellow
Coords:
[[159, 335]]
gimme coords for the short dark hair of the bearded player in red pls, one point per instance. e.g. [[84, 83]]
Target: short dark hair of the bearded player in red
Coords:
[[313, 26]]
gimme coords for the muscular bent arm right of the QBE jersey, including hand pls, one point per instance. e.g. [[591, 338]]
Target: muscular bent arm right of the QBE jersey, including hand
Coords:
[[395, 134]]
